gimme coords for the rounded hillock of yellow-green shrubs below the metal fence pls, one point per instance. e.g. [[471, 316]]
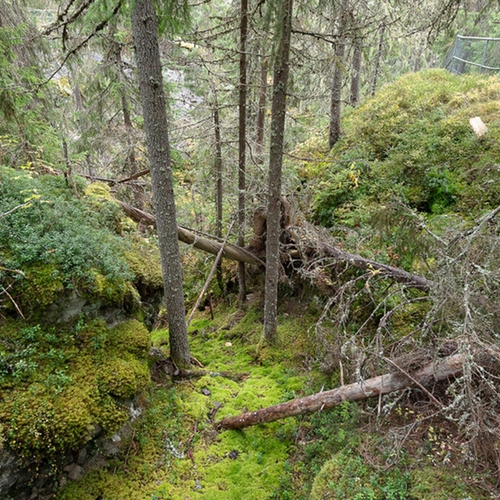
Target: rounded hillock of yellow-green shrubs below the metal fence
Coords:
[[413, 143]]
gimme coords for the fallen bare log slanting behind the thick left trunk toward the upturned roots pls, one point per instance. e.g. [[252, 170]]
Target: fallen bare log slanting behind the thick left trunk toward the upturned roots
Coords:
[[229, 251]]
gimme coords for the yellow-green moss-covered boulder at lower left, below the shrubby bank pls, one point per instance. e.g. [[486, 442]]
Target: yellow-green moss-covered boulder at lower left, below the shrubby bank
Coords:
[[60, 386]]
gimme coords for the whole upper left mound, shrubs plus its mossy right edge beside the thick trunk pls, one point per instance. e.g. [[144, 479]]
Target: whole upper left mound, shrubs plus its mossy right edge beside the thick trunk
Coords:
[[61, 252]]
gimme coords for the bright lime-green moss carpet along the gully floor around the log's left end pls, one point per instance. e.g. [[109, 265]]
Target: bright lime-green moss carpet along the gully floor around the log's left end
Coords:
[[176, 426]]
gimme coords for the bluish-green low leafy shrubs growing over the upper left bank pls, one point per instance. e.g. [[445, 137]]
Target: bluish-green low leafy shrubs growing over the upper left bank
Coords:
[[59, 242]]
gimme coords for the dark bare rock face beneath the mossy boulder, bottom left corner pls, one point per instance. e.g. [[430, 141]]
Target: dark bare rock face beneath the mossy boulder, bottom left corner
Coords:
[[31, 480]]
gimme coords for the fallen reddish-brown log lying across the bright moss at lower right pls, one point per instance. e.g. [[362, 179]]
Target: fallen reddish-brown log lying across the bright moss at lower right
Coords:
[[442, 369]]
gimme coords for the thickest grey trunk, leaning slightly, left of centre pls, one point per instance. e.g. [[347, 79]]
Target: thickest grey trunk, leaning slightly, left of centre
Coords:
[[144, 30]]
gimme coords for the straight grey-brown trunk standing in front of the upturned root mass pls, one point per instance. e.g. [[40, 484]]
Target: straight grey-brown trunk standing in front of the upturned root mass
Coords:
[[278, 112]]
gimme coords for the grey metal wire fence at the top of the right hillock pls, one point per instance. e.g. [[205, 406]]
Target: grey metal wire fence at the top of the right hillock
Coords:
[[473, 54]]
